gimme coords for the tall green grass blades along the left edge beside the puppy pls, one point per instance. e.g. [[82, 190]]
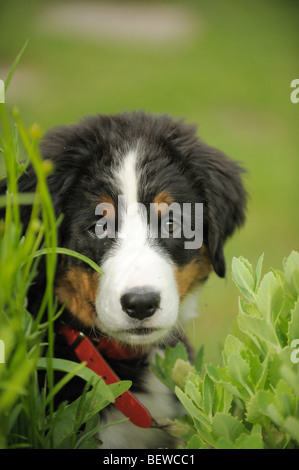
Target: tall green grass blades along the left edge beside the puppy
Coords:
[[27, 414]]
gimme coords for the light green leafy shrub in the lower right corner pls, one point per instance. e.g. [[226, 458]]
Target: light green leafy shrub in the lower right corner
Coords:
[[252, 399]]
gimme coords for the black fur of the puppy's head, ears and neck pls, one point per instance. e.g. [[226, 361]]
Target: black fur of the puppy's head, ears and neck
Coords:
[[172, 158]]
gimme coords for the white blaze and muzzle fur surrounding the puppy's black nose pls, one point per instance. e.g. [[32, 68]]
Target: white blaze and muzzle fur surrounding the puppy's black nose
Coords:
[[135, 262]]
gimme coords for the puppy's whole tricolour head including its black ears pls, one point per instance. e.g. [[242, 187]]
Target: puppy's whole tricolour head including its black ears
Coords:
[[123, 184]]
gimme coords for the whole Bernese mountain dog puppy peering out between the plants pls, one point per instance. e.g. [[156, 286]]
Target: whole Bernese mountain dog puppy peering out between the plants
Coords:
[[111, 174]]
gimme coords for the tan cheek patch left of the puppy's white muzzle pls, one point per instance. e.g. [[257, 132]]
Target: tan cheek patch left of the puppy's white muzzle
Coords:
[[79, 288]]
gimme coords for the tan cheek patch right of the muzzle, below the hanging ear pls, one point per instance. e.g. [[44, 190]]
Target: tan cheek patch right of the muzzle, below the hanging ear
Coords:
[[189, 277]]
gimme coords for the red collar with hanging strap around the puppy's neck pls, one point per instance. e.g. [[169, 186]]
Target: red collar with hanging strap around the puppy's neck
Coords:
[[87, 352]]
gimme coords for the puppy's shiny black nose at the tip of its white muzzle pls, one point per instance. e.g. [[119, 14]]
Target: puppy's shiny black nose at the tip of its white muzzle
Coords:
[[140, 303]]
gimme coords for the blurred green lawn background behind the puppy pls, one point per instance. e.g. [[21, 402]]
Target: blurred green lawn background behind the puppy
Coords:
[[225, 65]]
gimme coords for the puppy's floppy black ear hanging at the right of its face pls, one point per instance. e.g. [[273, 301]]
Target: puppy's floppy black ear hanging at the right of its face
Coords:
[[225, 200]]
